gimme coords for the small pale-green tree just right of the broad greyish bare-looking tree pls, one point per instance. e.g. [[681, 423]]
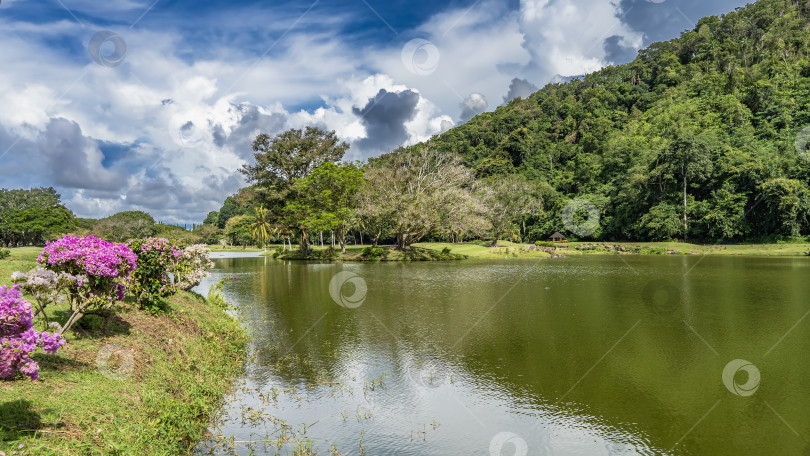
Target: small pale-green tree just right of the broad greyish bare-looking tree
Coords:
[[506, 199]]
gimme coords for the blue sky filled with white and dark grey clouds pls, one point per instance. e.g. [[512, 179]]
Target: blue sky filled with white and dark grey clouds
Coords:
[[153, 104]]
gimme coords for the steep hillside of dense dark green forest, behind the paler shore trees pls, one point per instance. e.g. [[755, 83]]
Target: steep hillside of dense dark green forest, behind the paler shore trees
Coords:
[[716, 114]]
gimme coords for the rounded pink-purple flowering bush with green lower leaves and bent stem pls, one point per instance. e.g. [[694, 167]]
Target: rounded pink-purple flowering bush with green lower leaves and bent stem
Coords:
[[102, 268]]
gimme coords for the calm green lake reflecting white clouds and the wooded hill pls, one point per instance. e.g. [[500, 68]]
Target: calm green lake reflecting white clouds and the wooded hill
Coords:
[[588, 355]]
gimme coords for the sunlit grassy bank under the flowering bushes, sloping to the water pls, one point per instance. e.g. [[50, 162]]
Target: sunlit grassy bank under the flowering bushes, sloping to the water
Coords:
[[154, 393]]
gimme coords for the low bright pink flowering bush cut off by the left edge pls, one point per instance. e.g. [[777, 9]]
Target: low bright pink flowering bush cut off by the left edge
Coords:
[[18, 339]]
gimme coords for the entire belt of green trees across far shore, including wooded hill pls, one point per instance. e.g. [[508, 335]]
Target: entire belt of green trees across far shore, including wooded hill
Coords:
[[703, 138]]
